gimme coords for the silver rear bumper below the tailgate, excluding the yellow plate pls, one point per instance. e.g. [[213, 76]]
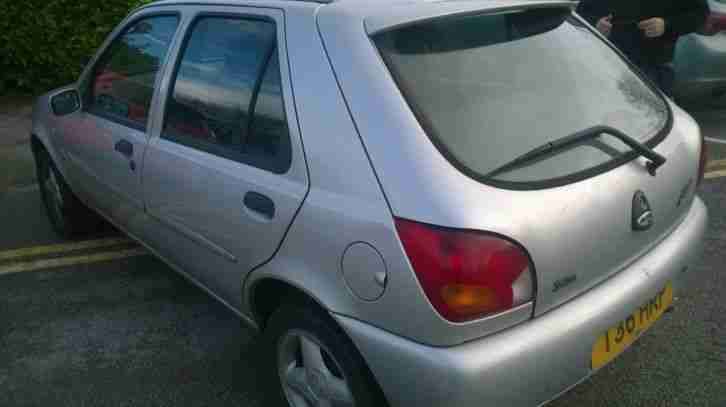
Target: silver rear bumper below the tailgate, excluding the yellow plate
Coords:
[[533, 362]]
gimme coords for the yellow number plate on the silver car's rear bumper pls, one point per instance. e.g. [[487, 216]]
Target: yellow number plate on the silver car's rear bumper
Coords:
[[621, 335]]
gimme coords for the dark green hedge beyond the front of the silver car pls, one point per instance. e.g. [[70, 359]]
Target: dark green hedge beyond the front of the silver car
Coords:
[[42, 42]]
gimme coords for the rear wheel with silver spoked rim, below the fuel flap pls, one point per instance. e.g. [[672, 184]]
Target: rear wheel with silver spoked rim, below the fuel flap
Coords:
[[331, 368]]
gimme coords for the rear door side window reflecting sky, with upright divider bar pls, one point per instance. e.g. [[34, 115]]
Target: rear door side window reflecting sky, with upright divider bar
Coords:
[[226, 98]]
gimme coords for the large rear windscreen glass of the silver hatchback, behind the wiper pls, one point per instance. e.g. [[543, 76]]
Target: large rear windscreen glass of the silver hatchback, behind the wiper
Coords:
[[489, 88]]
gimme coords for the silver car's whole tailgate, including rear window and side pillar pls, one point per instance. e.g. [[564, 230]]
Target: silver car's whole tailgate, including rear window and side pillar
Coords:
[[455, 97]]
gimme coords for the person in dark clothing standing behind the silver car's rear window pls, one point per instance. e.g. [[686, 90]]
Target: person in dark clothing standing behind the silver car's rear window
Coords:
[[646, 31]]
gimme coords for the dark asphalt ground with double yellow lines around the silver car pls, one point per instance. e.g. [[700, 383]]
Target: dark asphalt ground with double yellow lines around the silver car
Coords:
[[102, 323]]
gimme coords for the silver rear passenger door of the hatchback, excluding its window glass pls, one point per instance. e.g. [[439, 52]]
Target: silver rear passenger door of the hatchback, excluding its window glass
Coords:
[[196, 199]]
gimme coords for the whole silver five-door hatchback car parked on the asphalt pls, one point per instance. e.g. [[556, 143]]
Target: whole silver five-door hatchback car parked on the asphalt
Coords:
[[418, 203]]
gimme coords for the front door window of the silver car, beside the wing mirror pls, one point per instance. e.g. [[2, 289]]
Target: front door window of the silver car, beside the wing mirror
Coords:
[[123, 80]]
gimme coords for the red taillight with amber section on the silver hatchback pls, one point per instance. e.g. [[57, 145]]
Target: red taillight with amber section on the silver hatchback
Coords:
[[467, 274]]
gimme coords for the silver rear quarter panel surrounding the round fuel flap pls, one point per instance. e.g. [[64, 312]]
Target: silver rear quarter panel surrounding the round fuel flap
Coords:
[[346, 197]]
